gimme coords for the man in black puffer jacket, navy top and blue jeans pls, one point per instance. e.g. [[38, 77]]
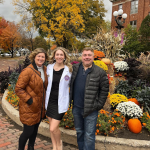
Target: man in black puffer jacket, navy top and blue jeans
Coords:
[[89, 88]]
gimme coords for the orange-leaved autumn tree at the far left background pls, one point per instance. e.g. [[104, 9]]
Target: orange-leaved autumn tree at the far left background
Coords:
[[10, 37]]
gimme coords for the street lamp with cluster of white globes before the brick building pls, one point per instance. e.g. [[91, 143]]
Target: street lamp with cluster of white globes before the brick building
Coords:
[[118, 18]]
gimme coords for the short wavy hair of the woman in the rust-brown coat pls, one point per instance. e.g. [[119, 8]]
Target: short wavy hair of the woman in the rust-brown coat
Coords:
[[37, 51]]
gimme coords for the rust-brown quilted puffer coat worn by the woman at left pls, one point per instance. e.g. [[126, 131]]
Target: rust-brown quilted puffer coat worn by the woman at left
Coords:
[[30, 87]]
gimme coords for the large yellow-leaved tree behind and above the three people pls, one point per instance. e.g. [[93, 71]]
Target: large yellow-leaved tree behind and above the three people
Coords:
[[64, 20]]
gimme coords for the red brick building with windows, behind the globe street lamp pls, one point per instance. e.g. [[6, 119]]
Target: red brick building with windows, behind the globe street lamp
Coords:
[[136, 10]]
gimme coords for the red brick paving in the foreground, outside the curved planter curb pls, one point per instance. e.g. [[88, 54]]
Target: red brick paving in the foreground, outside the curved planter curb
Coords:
[[10, 132]]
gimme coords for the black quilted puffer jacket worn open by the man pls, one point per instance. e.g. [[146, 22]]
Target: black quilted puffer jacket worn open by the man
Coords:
[[96, 88]]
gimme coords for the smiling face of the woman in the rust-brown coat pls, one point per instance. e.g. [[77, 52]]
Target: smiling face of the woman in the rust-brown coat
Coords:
[[39, 59]]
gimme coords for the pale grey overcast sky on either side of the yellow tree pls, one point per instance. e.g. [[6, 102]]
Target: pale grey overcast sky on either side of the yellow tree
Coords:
[[7, 11]]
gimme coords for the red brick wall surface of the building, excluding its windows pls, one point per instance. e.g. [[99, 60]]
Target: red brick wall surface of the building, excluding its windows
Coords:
[[143, 11]]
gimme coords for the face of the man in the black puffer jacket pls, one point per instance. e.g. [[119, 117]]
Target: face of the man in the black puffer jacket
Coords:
[[87, 58]]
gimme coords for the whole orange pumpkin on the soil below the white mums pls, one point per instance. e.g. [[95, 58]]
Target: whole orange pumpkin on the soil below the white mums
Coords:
[[135, 125]]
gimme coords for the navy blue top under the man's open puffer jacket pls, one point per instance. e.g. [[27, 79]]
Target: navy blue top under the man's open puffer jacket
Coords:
[[79, 86]]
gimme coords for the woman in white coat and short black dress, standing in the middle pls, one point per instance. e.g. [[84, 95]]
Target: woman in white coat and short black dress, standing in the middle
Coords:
[[57, 94]]
